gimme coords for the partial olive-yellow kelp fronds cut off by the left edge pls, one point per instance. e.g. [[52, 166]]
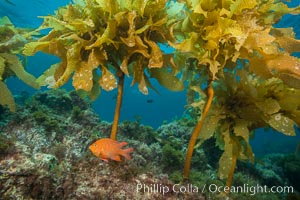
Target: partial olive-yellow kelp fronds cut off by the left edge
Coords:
[[11, 41]]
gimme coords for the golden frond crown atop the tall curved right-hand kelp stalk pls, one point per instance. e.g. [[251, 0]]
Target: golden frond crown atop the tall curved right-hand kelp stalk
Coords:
[[218, 33]]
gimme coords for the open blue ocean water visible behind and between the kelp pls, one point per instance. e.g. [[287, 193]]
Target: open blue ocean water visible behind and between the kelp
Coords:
[[153, 108]]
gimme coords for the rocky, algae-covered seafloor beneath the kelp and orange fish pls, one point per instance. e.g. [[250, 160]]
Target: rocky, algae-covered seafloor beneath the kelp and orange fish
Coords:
[[44, 155]]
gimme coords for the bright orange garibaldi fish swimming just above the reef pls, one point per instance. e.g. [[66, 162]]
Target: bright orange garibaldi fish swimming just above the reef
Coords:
[[107, 148]]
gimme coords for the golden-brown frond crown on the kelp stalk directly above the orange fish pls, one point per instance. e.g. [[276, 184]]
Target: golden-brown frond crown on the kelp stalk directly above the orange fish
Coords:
[[102, 37]]
